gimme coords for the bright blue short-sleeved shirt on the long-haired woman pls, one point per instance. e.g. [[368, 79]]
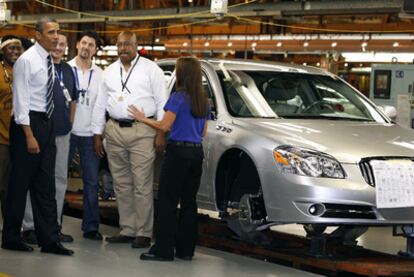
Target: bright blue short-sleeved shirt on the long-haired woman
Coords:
[[186, 127]]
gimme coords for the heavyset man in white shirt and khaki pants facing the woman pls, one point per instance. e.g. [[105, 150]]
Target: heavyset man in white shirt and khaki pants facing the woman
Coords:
[[131, 80]]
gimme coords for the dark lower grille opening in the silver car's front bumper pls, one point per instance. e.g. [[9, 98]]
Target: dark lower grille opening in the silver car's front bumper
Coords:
[[348, 211]]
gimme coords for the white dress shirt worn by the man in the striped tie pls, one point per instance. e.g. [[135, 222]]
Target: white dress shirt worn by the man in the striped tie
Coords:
[[30, 83]]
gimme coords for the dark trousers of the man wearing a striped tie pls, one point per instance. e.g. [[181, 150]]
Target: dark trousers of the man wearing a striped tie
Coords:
[[36, 173]]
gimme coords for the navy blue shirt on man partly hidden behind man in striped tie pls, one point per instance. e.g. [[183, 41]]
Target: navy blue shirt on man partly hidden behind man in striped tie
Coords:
[[61, 113]]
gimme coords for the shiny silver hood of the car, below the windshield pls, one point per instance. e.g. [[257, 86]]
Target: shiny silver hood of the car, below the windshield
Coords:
[[347, 141]]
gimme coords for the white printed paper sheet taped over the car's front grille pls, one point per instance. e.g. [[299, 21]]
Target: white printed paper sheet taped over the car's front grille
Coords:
[[394, 183]]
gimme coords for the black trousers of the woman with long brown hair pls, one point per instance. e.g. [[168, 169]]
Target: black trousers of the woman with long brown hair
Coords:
[[179, 183]]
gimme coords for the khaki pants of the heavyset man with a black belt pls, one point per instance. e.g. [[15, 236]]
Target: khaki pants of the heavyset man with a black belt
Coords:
[[131, 157]]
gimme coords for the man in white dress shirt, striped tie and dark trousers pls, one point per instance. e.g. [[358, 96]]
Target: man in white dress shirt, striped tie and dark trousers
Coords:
[[32, 145]]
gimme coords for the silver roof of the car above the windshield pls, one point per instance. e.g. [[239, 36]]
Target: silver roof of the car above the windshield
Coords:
[[255, 65]]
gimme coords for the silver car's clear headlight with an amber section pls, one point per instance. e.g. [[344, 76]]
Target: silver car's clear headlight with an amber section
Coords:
[[305, 162]]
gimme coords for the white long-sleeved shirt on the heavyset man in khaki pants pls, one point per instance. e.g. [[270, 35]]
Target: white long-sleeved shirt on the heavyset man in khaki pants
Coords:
[[146, 89]]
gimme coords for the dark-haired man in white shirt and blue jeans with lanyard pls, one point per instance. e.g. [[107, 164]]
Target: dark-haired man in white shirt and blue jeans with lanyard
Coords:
[[88, 78]]
